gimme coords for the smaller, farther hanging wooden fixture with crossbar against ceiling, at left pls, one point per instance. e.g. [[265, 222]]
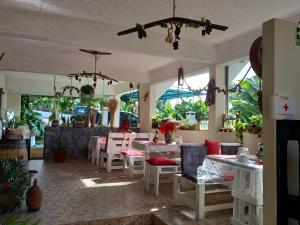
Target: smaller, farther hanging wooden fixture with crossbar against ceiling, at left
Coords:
[[95, 75]]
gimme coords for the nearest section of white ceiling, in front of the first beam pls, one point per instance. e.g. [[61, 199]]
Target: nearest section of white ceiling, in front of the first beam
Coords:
[[239, 15]]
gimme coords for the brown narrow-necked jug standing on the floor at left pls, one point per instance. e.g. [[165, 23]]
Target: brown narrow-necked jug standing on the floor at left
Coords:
[[34, 197]]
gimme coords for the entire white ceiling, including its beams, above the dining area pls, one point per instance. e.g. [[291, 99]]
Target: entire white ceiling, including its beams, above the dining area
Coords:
[[44, 36]]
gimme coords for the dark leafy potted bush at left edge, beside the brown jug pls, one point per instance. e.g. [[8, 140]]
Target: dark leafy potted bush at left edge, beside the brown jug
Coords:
[[14, 181]]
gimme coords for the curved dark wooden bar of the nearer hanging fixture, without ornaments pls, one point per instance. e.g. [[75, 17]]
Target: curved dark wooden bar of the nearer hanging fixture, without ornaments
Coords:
[[172, 19]]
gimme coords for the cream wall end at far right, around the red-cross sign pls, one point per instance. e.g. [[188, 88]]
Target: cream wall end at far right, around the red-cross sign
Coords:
[[281, 70]]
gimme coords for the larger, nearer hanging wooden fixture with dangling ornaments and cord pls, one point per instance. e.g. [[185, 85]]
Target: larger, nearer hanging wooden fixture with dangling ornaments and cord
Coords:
[[174, 25]]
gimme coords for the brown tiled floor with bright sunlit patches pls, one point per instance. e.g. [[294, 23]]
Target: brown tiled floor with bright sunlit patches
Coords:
[[77, 191]]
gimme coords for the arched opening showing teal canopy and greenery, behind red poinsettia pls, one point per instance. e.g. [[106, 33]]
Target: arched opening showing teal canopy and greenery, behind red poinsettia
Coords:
[[185, 105]]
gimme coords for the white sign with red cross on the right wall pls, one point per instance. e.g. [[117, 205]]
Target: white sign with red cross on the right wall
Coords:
[[284, 107]]
